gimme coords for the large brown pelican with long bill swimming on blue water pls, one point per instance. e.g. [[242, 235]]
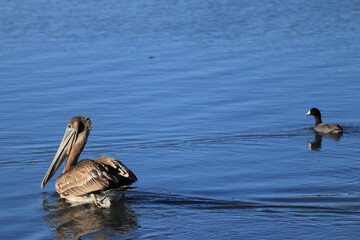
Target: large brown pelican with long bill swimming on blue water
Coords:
[[102, 181]]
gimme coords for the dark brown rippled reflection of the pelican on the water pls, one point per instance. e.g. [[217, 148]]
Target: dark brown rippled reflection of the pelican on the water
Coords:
[[74, 221]]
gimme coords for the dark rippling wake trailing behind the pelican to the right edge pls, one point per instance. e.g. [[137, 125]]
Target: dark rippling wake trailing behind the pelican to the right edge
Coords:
[[341, 203]]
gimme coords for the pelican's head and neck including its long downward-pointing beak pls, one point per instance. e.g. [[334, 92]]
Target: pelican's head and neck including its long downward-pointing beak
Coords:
[[74, 140]]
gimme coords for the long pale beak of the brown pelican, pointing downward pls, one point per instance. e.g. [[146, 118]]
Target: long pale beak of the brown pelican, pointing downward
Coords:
[[61, 154]]
